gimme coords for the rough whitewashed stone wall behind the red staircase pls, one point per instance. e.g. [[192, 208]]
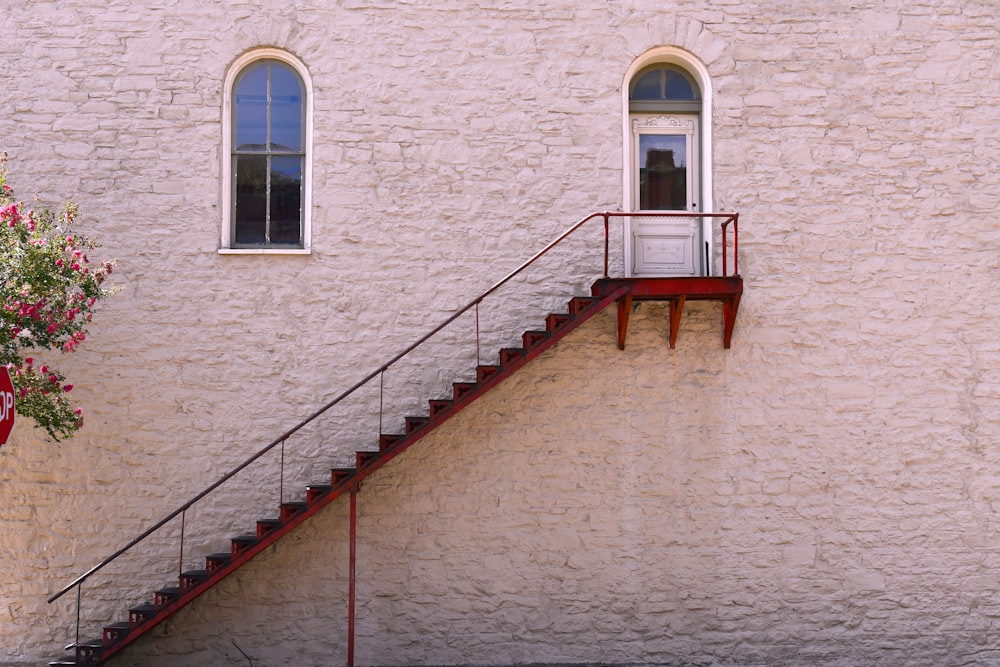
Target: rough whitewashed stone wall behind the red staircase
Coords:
[[822, 492]]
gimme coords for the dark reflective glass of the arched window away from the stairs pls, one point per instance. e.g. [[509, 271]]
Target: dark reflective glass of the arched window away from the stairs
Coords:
[[268, 156]]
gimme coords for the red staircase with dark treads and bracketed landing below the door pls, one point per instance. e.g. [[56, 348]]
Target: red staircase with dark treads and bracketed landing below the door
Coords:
[[192, 583]]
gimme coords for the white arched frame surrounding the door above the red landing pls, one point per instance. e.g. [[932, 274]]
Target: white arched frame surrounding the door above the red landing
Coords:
[[670, 55]]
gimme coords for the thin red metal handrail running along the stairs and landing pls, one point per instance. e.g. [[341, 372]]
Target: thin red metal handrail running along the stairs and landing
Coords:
[[725, 218]]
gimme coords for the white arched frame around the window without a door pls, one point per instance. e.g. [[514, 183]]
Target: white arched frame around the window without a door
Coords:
[[235, 69]]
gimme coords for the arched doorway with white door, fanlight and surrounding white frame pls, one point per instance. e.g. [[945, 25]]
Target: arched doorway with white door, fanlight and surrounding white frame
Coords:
[[667, 163]]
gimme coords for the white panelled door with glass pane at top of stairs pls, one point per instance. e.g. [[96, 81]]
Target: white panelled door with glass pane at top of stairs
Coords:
[[665, 178]]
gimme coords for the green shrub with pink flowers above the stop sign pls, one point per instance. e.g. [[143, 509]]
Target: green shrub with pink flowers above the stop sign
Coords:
[[49, 292]]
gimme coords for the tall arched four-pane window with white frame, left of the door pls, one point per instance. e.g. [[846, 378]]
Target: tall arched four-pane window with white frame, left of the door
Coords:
[[267, 154]]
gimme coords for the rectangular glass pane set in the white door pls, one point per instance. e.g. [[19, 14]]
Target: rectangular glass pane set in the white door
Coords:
[[662, 172]]
